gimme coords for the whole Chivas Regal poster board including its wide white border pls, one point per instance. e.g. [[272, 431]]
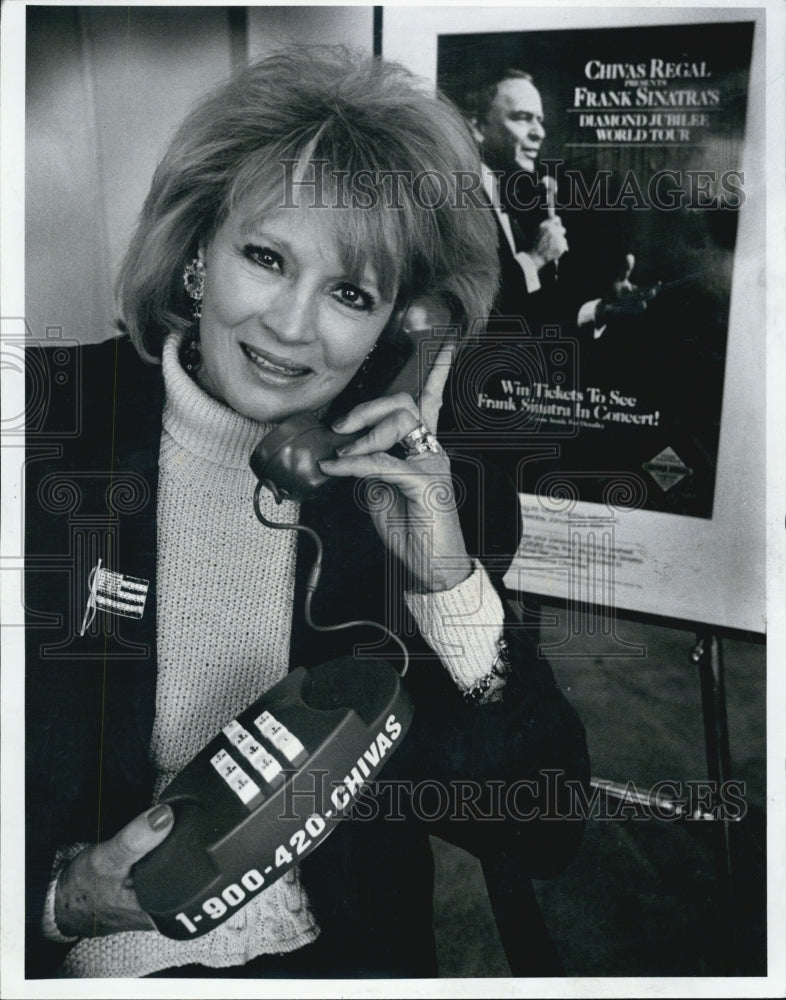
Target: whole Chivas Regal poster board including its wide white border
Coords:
[[628, 438]]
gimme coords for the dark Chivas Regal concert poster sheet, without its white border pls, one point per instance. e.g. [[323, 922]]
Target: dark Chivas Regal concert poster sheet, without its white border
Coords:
[[637, 138]]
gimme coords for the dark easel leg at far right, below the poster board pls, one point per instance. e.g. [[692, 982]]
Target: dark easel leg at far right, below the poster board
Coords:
[[707, 655]]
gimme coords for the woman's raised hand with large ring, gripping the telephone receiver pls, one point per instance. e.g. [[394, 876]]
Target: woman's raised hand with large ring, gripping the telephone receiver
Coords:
[[419, 522]]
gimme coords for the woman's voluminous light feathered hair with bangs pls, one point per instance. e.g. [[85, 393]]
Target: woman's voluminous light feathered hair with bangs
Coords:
[[278, 123]]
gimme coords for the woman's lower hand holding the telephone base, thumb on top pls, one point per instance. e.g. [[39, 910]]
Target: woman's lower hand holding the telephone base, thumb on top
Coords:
[[95, 893]]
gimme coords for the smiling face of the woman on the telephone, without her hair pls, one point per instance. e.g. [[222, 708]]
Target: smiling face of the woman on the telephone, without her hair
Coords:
[[284, 327]]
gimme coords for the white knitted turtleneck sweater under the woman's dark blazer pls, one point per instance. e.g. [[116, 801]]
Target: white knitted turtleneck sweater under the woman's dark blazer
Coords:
[[221, 646]]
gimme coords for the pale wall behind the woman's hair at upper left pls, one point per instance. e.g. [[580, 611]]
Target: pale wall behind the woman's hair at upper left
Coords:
[[106, 88]]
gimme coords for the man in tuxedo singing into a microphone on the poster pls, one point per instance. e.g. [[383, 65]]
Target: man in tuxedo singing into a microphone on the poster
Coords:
[[579, 275]]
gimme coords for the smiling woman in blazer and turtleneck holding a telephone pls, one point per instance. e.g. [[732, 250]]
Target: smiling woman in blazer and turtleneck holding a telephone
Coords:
[[271, 273]]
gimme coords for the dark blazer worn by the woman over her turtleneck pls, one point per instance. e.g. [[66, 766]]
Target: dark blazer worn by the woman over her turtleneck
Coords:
[[92, 466]]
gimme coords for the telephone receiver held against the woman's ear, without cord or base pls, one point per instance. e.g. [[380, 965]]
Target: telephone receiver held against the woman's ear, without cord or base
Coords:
[[286, 460]]
